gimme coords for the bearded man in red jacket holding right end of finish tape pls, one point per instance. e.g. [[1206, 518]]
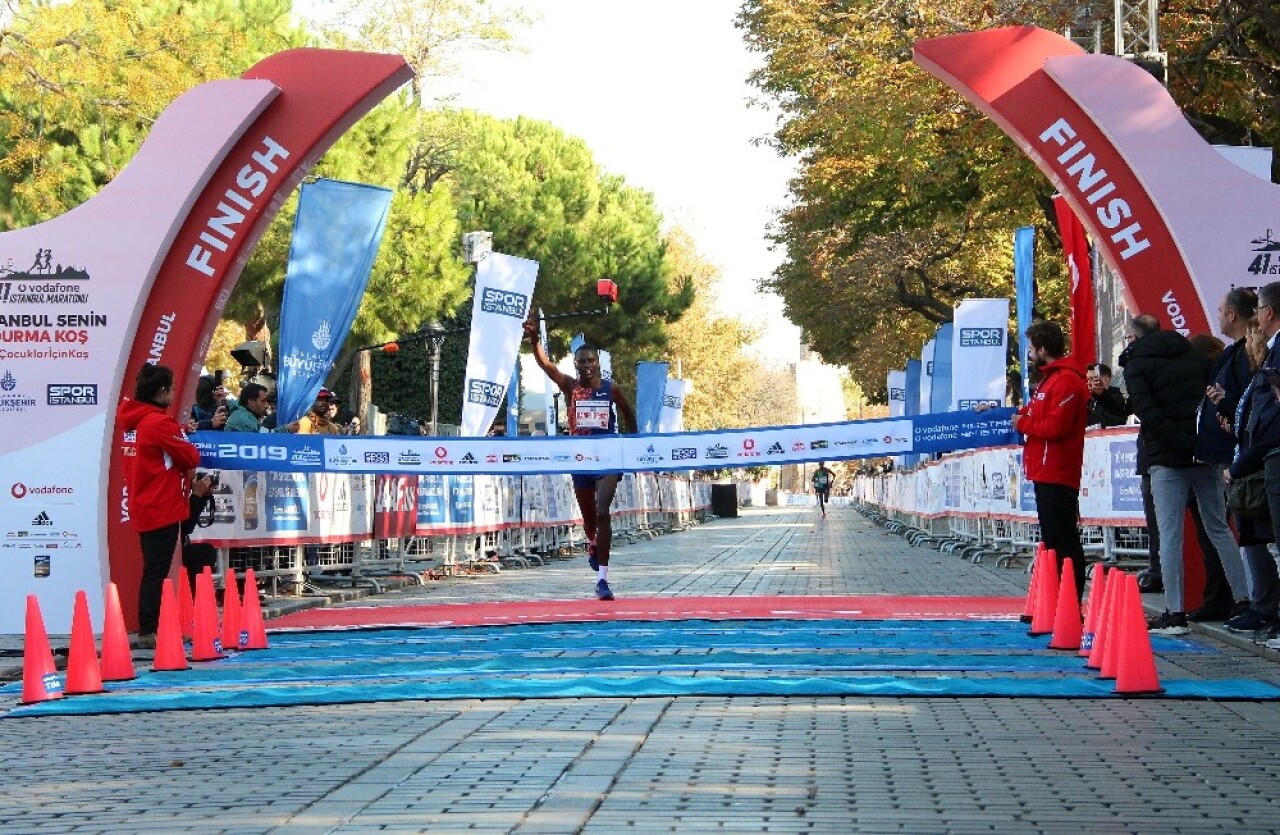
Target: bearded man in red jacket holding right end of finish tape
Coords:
[[1054, 454]]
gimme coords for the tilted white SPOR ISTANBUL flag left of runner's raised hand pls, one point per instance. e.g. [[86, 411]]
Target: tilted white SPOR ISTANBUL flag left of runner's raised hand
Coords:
[[504, 288]]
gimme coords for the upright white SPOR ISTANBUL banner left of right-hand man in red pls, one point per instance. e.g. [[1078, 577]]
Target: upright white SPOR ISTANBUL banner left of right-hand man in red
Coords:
[[979, 353]]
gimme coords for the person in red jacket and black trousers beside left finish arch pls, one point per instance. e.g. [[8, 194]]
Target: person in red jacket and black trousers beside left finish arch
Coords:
[[159, 463]]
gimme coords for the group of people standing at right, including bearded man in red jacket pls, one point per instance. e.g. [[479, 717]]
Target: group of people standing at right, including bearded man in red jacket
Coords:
[[1209, 417]]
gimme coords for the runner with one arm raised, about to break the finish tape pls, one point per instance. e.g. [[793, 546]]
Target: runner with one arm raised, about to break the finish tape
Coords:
[[591, 401]]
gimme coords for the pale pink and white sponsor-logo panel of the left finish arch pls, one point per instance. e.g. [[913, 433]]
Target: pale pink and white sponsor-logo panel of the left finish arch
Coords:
[[72, 295]]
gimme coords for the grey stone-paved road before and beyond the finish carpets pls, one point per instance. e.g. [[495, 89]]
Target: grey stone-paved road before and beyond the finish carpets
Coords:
[[675, 765]]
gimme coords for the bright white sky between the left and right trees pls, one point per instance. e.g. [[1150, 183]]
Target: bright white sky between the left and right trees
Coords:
[[659, 92]]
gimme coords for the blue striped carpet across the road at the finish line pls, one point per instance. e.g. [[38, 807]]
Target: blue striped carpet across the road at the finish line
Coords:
[[633, 660]]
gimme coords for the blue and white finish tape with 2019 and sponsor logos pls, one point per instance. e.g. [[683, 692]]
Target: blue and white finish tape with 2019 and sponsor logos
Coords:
[[414, 455]]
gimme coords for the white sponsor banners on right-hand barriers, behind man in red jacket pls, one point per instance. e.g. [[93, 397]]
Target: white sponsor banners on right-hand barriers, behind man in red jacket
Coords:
[[991, 483]]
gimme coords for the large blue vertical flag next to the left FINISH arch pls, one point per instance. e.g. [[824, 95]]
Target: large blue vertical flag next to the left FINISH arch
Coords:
[[336, 238]]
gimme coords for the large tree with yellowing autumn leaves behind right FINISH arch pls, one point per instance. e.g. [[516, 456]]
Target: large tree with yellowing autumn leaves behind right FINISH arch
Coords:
[[908, 197]]
